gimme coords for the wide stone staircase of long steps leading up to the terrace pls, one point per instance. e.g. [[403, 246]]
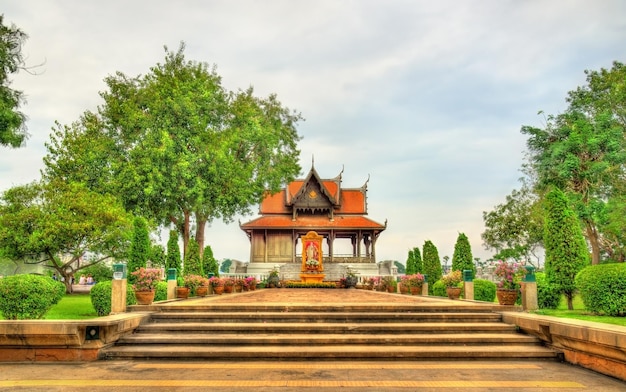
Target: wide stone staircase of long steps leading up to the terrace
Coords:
[[327, 332]]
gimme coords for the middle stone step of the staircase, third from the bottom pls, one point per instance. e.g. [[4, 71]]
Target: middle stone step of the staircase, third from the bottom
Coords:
[[322, 327]]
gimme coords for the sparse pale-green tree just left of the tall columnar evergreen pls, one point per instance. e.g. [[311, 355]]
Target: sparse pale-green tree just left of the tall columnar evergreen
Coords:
[[514, 229]]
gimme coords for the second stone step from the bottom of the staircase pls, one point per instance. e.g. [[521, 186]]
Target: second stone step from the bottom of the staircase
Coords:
[[327, 339]]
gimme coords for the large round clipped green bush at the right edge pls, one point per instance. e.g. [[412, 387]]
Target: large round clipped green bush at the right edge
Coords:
[[603, 288]]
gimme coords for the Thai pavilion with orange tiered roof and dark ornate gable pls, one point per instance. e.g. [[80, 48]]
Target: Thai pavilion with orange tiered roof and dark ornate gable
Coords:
[[315, 205]]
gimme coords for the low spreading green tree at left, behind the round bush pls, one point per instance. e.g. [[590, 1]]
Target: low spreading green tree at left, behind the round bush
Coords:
[[56, 225]]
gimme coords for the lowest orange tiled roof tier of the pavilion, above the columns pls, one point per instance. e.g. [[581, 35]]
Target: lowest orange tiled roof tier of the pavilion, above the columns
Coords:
[[340, 222]]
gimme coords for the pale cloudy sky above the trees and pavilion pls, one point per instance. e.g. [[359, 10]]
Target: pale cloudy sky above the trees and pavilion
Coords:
[[426, 98]]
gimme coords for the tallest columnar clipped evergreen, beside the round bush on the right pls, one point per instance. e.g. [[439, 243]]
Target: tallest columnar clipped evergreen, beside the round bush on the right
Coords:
[[566, 250]]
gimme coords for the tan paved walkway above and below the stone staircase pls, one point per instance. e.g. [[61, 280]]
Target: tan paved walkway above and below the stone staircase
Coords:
[[291, 376]]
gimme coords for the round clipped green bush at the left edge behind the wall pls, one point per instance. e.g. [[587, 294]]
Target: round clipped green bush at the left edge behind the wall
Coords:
[[24, 297]]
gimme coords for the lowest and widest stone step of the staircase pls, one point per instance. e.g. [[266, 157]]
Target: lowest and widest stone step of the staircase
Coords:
[[330, 352]]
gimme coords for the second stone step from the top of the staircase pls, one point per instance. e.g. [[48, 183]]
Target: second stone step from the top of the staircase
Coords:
[[316, 317]]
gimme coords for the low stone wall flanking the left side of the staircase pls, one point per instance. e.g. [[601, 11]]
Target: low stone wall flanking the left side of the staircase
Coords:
[[67, 340]]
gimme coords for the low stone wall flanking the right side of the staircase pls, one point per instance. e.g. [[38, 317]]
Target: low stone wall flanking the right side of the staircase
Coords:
[[596, 346]]
